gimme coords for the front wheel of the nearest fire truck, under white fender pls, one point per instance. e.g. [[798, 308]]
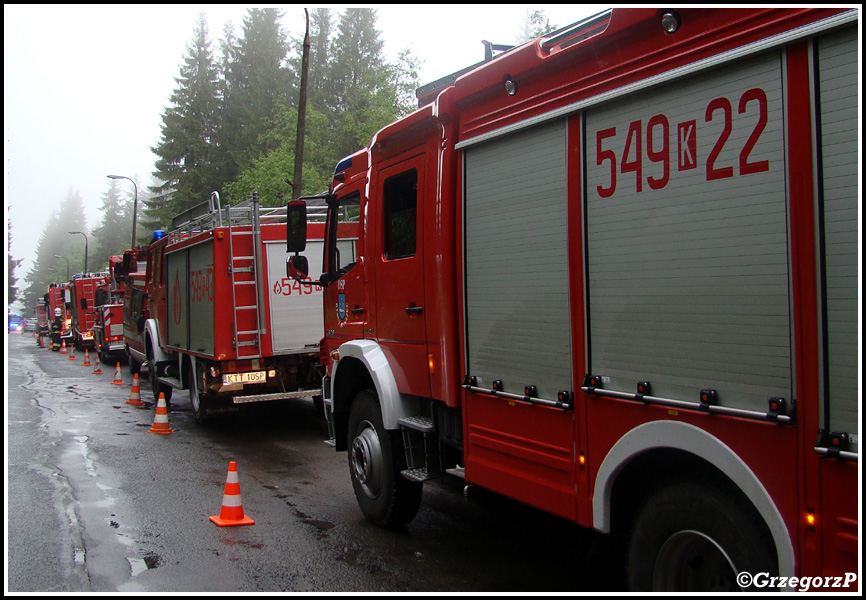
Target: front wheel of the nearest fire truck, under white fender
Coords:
[[375, 459]]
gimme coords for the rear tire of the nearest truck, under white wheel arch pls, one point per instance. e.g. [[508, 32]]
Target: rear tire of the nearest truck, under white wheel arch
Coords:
[[691, 536]]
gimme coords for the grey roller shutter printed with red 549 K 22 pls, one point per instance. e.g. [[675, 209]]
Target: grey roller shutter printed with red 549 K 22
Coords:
[[687, 239]]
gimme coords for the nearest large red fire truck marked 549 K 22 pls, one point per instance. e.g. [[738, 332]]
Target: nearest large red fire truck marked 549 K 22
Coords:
[[612, 273]]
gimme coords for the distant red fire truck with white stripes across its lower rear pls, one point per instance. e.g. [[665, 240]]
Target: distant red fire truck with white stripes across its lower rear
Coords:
[[108, 329]]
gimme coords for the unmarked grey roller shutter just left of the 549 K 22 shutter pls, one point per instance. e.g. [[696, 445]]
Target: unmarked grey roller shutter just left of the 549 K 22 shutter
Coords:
[[517, 301]]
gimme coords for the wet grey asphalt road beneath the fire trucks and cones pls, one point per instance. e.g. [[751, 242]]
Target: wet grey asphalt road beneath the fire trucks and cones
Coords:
[[96, 503]]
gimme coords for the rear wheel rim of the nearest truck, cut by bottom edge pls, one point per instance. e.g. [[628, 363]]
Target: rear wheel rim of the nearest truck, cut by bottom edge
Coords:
[[692, 561]]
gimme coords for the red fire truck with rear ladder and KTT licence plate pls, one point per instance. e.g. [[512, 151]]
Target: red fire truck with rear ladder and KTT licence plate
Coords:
[[225, 323]]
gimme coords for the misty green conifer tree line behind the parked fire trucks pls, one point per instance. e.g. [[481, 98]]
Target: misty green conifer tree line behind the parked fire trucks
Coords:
[[230, 127]]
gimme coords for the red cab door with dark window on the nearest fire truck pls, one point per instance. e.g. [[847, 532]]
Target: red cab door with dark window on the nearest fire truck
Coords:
[[401, 322]]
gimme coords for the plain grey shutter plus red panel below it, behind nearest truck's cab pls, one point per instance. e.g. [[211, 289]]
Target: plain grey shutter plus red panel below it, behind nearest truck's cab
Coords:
[[517, 318]]
